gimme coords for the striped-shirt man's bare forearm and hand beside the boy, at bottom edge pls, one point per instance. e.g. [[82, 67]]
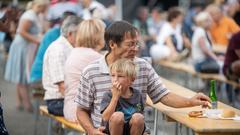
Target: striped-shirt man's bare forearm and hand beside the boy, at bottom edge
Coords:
[[85, 121]]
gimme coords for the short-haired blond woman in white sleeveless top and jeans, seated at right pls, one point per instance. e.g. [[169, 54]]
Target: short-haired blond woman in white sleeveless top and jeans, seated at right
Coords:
[[202, 52]]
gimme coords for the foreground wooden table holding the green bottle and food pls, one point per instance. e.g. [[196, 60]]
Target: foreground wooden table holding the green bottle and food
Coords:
[[201, 126]]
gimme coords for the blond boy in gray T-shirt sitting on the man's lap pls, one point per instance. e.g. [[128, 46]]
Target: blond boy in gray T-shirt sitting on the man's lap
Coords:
[[123, 99]]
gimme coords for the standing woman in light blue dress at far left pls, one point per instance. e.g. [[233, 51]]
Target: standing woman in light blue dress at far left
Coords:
[[27, 38]]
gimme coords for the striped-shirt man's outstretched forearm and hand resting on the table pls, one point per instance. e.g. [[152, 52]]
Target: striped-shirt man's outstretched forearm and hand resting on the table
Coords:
[[177, 101]]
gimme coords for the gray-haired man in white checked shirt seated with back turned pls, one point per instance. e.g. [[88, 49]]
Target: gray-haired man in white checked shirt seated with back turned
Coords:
[[53, 65]]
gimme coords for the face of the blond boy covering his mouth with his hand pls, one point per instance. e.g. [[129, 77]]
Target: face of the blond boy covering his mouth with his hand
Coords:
[[124, 80]]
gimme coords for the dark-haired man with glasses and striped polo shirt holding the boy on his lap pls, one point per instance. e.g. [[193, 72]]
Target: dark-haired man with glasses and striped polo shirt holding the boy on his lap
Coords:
[[122, 41]]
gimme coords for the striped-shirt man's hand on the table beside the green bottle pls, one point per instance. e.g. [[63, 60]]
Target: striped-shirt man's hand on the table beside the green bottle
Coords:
[[200, 99]]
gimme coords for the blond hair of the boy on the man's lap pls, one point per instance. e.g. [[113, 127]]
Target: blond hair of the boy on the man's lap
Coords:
[[124, 66]]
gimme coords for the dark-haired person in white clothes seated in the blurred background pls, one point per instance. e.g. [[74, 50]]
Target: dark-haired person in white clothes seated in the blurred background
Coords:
[[170, 41]]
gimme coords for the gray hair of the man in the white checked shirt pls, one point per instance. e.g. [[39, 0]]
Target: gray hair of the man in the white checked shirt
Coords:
[[70, 25]]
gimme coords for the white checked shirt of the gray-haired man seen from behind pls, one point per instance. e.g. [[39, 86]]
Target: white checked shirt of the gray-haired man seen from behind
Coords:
[[53, 67]]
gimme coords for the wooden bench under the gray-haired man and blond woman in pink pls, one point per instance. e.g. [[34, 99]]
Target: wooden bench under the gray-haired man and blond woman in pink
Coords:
[[64, 123]]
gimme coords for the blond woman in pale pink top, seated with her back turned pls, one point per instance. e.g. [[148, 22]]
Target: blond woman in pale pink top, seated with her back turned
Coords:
[[90, 40]]
